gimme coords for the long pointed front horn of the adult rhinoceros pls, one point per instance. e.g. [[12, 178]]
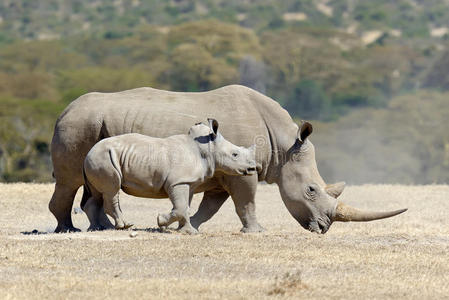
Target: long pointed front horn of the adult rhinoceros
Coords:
[[346, 213]]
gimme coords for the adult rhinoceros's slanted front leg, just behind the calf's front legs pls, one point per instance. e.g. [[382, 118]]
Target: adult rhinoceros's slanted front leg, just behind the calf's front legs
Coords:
[[210, 204]]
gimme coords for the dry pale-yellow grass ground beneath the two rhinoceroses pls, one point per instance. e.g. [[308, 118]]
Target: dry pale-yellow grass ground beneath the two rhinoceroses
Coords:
[[403, 257]]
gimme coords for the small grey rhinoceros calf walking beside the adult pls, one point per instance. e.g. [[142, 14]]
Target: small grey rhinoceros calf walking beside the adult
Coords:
[[150, 167]]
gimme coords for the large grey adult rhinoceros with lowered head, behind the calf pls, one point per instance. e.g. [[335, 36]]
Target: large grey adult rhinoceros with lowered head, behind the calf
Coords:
[[285, 155]]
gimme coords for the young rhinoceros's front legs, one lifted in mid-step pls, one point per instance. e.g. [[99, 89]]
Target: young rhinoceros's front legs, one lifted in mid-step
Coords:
[[179, 196]]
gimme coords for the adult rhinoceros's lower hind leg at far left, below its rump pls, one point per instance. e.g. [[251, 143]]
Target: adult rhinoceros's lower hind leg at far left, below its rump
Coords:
[[61, 206]]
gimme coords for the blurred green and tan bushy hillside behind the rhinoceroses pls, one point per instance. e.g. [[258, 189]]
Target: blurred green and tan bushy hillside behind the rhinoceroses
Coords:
[[374, 76]]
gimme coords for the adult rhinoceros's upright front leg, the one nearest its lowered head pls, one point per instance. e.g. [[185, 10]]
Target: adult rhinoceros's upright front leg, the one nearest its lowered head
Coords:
[[243, 193]]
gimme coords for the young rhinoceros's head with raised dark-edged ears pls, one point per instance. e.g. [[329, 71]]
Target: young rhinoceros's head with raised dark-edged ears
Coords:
[[226, 157]]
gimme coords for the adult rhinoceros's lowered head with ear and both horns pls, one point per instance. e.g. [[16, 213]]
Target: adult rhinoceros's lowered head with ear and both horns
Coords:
[[308, 199]]
